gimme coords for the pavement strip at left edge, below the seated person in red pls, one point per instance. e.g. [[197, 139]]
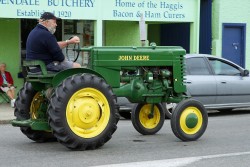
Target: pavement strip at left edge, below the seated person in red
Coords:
[[6, 113]]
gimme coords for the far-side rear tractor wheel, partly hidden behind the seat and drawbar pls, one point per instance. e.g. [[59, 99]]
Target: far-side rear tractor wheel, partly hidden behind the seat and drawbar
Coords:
[[27, 103]]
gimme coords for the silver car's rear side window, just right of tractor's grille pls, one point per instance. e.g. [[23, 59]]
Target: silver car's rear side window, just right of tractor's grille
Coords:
[[196, 66]]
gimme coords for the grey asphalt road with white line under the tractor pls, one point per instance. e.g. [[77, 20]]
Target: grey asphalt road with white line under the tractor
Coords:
[[225, 143]]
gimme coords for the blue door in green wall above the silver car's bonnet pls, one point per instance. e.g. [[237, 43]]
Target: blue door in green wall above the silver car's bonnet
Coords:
[[233, 43]]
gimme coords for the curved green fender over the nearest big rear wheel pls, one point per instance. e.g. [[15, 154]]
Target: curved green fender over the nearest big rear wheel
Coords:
[[59, 77]]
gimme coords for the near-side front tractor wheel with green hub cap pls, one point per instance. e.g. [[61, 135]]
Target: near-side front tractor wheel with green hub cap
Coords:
[[189, 120]]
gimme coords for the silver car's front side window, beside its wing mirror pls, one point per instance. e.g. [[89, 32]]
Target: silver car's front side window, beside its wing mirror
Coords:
[[223, 68]]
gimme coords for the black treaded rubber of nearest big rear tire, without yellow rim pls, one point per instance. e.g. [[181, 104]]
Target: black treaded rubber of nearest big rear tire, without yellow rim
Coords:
[[57, 107]]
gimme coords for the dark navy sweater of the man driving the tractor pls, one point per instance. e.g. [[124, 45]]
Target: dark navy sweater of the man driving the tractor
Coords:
[[42, 45]]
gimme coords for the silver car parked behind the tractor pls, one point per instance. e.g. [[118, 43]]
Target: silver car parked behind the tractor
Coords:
[[216, 82]]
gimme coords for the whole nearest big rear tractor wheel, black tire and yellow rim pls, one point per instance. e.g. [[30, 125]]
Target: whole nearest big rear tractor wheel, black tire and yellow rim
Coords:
[[83, 113]]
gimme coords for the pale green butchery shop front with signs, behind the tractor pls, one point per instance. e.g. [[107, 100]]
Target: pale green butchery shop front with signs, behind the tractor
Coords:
[[99, 23]]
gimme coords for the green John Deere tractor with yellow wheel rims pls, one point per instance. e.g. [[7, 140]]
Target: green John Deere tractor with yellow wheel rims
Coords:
[[78, 107]]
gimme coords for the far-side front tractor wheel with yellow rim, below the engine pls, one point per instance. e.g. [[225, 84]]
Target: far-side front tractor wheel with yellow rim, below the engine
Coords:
[[143, 122]]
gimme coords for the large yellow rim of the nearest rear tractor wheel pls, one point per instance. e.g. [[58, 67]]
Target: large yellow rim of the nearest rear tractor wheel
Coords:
[[87, 112]]
